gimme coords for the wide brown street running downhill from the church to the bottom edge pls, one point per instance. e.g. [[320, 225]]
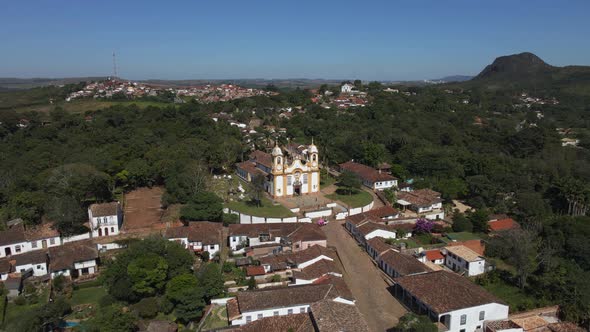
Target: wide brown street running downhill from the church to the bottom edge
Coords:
[[379, 307]]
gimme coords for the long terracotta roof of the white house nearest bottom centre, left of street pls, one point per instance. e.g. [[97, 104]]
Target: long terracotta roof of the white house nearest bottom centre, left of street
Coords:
[[270, 298]]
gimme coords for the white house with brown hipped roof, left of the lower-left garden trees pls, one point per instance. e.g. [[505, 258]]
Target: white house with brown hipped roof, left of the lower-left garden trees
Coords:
[[73, 259]]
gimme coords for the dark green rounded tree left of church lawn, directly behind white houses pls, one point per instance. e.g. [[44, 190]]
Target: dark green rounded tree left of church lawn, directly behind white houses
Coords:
[[203, 206]]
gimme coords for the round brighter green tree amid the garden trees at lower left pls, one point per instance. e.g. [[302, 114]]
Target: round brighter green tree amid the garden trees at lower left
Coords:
[[147, 274]]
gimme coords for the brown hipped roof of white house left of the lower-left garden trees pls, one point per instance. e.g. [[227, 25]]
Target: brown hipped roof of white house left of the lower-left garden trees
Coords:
[[64, 256]]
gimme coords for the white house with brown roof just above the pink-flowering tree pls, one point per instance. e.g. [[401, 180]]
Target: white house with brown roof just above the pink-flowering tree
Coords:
[[424, 202]]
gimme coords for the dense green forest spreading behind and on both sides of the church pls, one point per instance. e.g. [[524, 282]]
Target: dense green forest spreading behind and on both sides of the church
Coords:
[[496, 157]]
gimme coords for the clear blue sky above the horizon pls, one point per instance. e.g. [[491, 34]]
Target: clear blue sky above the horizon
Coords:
[[368, 40]]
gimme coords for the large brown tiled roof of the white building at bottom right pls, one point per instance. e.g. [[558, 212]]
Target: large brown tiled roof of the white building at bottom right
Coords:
[[445, 291]]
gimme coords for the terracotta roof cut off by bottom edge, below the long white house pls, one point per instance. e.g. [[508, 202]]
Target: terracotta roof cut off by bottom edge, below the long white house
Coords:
[[294, 323]]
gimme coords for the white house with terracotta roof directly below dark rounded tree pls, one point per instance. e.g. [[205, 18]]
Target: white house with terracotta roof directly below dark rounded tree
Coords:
[[198, 236]]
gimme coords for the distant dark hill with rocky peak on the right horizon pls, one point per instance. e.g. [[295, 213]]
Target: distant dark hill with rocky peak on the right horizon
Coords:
[[528, 71]]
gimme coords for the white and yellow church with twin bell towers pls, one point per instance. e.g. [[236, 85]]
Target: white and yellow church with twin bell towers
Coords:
[[292, 172]]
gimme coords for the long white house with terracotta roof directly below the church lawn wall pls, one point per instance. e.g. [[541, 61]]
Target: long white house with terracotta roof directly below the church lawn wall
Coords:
[[294, 236]]
